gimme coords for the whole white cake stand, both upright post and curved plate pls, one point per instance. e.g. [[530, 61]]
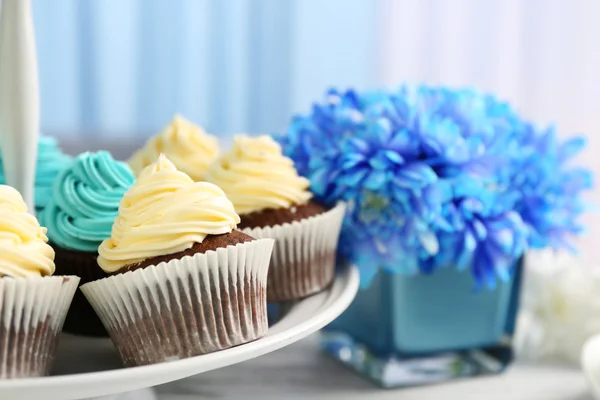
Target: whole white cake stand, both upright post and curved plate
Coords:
[[90, 368]]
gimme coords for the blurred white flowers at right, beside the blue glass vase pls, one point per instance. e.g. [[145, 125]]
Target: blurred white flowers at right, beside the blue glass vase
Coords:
[[560, 307]]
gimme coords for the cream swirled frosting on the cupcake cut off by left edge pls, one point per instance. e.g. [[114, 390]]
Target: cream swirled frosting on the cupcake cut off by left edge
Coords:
[[23, 243]]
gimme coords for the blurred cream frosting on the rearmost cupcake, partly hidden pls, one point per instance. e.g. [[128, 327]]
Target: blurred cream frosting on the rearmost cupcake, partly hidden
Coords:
[[190, 148]]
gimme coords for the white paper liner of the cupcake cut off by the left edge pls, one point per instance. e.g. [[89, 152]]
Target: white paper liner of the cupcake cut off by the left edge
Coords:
[[32, 312]]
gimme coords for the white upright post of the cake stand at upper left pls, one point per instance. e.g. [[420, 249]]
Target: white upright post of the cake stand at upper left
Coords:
[[19, 97]]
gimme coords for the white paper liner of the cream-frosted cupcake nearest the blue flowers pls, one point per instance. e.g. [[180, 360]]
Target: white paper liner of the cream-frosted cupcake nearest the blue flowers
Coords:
[[303, 260]]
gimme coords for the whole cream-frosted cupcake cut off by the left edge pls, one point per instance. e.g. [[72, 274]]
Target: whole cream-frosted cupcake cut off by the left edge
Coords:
[[33, 304]]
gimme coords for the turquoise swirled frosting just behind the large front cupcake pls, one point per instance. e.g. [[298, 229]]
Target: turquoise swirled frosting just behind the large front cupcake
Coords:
[[85, 201]]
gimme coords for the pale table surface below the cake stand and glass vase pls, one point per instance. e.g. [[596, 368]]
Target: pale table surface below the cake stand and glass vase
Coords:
[[300, 371]]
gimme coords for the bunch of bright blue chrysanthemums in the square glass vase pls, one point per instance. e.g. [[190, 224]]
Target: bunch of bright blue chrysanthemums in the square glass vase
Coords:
[[435, 177]]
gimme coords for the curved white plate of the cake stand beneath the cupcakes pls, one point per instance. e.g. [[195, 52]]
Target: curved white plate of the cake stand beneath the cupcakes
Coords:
[[89, 367]]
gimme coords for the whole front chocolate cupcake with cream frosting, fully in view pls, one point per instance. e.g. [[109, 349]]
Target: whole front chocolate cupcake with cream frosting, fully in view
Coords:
[[183, 281]]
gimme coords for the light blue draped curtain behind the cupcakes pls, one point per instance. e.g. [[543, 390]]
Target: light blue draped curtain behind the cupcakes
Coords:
[[124, 67]]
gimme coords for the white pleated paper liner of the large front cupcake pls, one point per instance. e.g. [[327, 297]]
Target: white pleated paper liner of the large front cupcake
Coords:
[[182, 308]]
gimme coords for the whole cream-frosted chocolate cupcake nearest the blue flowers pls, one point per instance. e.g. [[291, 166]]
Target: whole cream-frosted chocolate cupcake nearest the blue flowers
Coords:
[[273, 201]]
